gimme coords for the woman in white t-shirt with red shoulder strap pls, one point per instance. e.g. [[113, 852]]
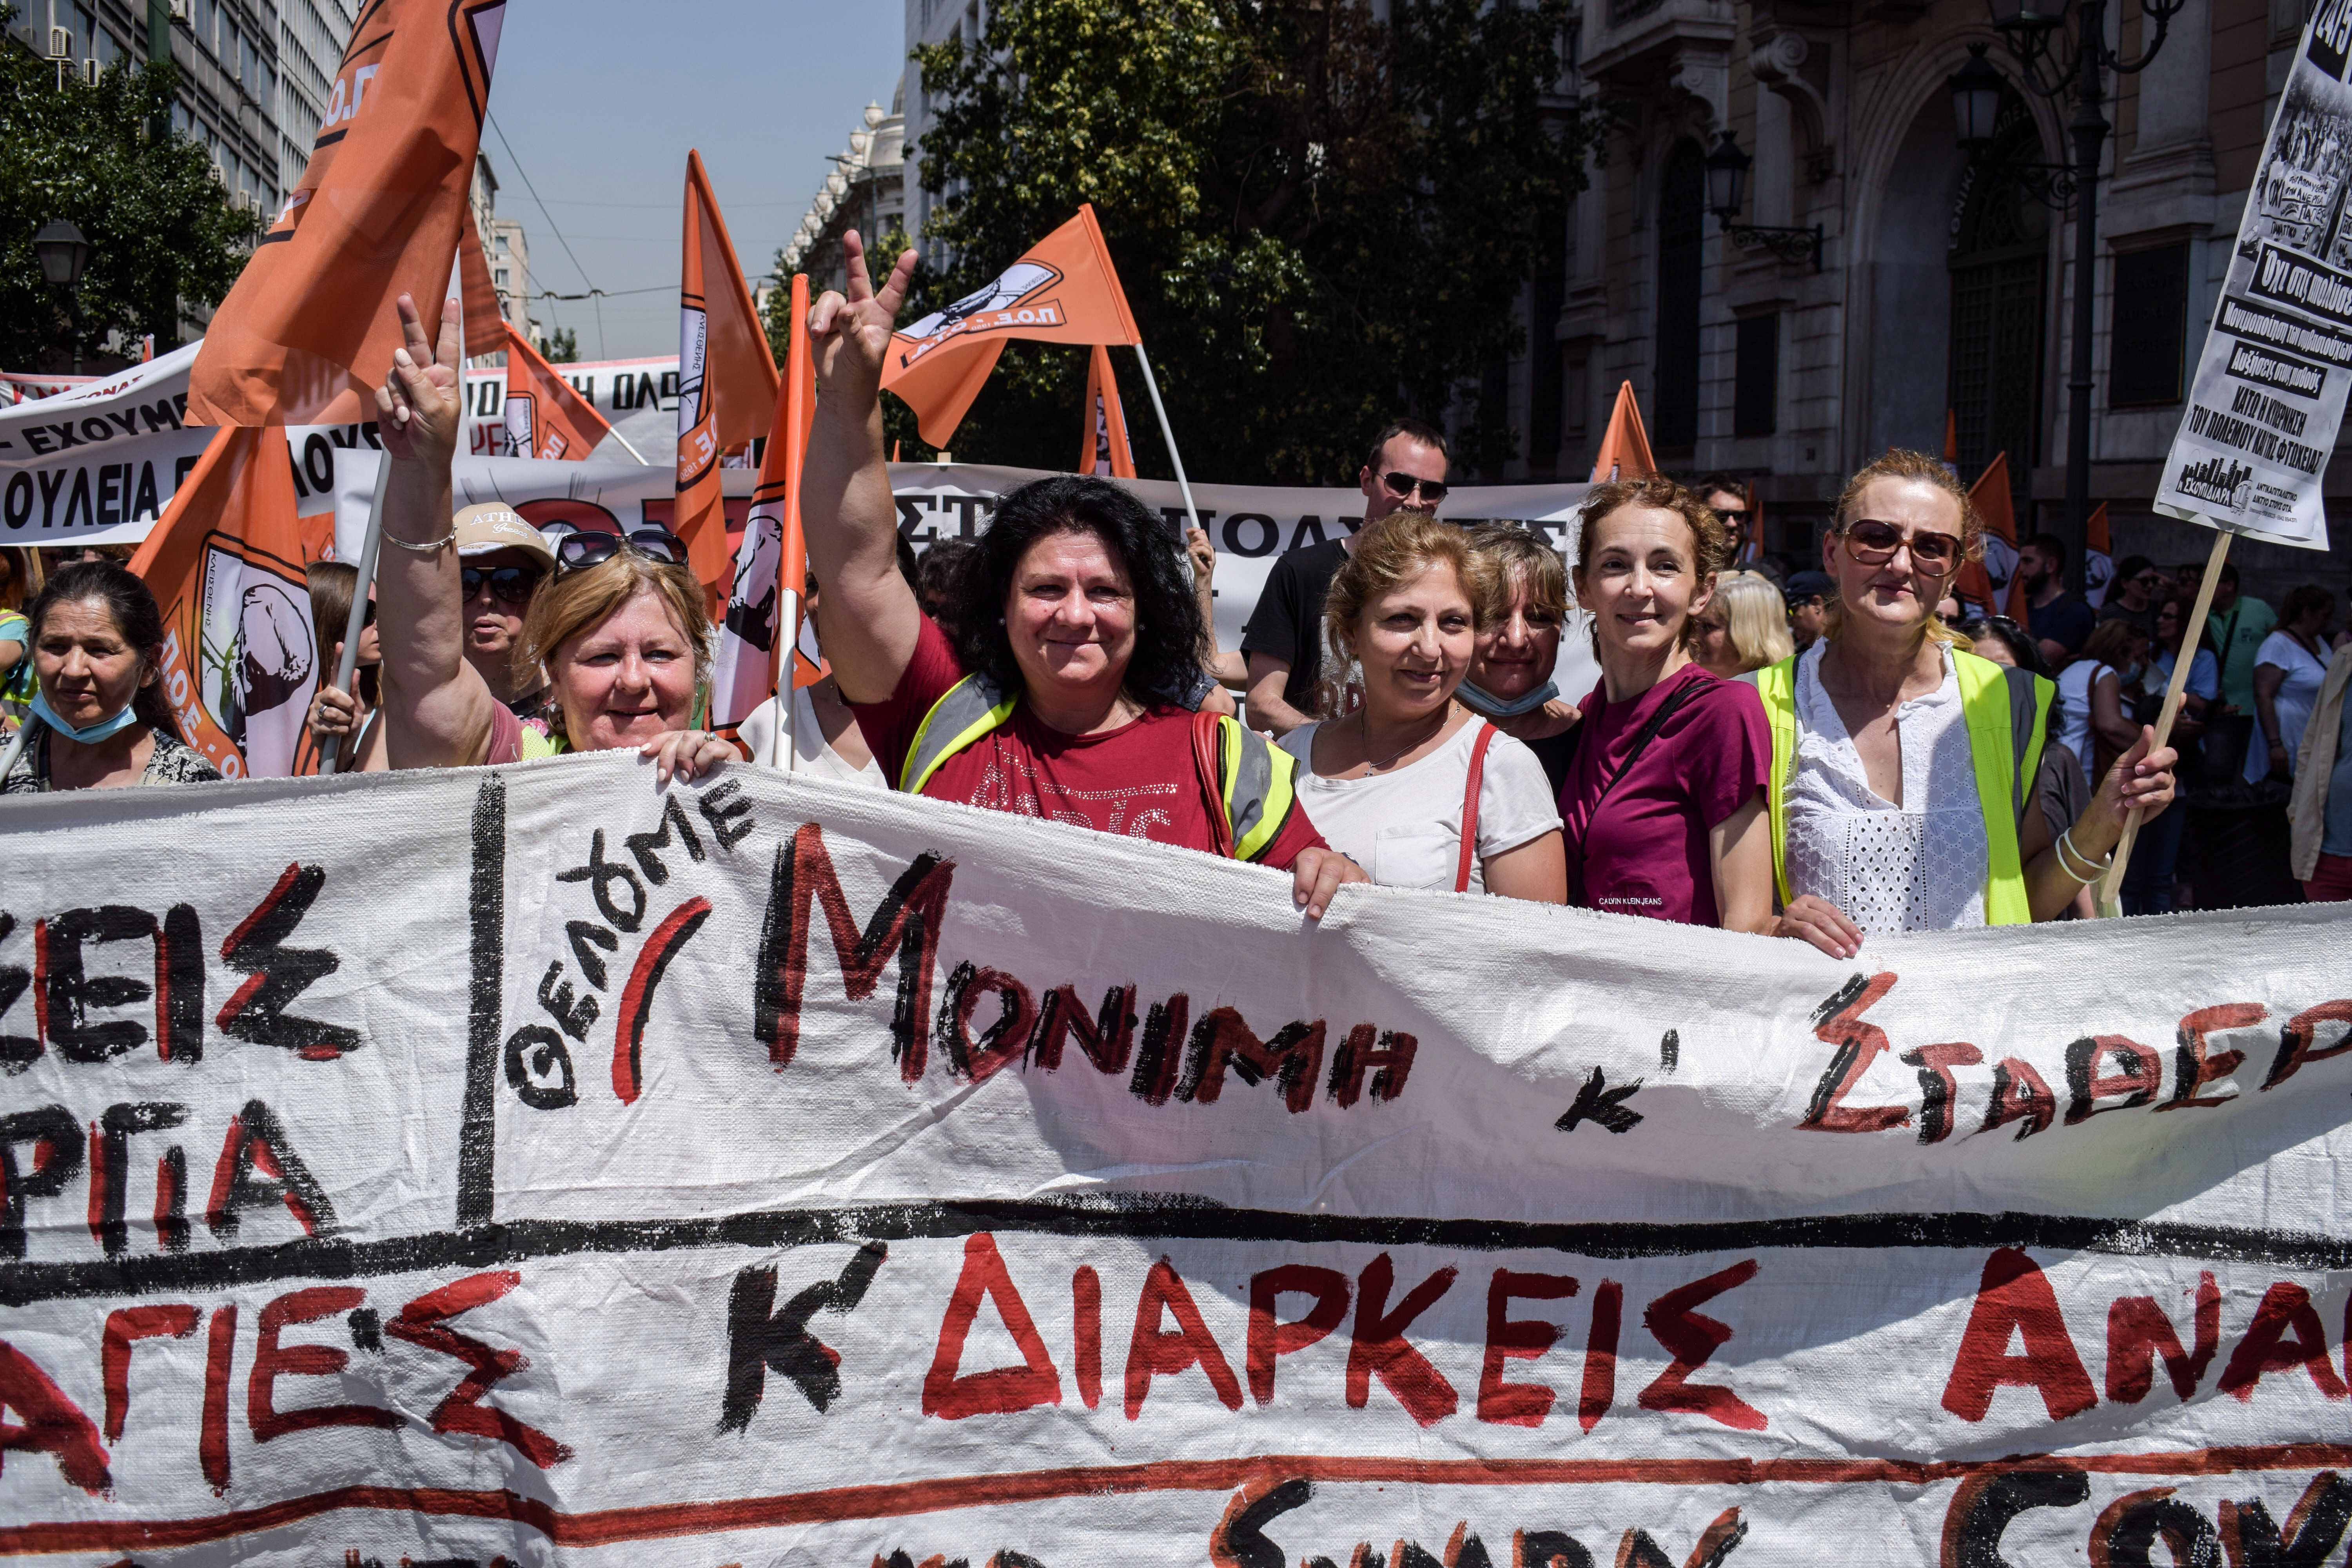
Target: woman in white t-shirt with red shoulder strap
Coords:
[[1391, 784]]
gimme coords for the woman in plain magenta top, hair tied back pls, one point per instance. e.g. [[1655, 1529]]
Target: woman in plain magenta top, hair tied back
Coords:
[[1664, 805]]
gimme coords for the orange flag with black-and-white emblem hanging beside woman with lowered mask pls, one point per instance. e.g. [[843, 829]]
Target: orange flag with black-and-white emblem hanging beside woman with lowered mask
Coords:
[[241, 657]]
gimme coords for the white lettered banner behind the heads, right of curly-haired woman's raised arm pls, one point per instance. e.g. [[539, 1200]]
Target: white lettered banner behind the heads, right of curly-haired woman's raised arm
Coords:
[[1248, 523]]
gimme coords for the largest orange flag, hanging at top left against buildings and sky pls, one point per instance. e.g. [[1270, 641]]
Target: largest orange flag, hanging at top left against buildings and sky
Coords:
[[309, 328]]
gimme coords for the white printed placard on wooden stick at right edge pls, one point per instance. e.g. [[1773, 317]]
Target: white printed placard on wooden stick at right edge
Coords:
[[2269, 398]]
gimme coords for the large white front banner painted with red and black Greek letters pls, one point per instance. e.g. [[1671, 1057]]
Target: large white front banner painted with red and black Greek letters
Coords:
[[537, 1167]]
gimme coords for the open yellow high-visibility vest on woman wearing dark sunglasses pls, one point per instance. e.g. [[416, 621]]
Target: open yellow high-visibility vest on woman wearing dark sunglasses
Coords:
[[2005, 713]]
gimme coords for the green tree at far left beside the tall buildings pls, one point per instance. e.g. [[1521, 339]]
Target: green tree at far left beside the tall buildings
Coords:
[[161, 229]]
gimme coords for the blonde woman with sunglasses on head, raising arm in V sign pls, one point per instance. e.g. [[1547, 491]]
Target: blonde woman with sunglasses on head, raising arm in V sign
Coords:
[[622, 631]]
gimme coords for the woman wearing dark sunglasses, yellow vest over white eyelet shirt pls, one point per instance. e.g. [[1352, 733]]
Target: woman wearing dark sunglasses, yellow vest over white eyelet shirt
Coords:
[[1904, 768]]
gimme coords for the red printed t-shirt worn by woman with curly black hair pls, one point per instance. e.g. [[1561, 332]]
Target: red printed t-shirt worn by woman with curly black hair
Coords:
[[1137, 779]]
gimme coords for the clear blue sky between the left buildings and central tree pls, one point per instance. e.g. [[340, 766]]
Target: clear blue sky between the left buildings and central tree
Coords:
[[601, 102]]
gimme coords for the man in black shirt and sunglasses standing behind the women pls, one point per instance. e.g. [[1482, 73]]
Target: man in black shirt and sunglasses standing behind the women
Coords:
[[1283, 641]]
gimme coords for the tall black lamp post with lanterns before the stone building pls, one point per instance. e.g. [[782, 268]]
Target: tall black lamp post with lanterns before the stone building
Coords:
[[2078, 67]]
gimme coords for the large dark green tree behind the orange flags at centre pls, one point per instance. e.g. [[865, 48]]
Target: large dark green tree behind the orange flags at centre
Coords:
[[1321, 217]]
